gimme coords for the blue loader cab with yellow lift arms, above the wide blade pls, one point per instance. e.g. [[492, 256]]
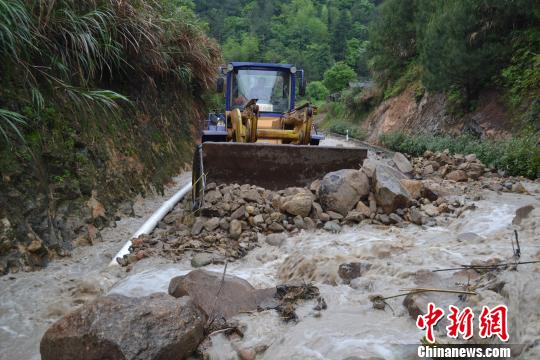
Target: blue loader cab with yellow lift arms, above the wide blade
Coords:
[[259, 101]]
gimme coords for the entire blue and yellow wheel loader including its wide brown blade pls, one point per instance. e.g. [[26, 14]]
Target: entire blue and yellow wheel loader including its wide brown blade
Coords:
[[263, 138]]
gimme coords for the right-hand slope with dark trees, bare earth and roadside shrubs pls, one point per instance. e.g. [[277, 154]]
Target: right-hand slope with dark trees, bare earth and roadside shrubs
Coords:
[[468, 69]]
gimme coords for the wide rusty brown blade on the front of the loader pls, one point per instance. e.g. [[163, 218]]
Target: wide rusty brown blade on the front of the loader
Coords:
[[274, 166]]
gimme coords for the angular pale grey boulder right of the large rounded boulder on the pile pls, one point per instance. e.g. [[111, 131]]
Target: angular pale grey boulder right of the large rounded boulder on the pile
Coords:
[[390, 194]]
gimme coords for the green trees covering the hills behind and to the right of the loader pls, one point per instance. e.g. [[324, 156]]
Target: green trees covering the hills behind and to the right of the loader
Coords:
[[459, 47]]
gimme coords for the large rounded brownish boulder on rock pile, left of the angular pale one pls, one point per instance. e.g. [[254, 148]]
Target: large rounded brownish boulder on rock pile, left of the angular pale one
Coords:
[[341, 190]]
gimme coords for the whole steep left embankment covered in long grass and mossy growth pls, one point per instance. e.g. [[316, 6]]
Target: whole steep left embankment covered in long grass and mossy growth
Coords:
[[100, 97]]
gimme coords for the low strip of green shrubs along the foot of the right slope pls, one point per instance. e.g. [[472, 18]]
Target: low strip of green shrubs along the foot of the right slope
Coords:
[[517, 156]]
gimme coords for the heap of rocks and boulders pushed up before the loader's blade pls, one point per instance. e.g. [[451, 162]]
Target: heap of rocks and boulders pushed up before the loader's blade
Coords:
[[234, 218]]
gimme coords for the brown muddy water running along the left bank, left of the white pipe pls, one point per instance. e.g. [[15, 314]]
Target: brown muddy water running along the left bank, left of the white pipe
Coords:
[[30, 302]]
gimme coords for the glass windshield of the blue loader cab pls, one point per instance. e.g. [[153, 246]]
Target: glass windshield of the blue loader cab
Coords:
[[271, 88]]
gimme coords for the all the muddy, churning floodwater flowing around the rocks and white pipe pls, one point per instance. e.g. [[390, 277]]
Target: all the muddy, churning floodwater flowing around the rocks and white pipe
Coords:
[[350, 327]]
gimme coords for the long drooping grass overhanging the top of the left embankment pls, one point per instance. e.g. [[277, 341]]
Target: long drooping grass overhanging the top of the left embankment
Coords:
[[71, 51]]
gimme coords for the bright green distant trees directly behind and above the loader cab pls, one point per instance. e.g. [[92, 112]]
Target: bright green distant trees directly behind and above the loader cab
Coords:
[[312, 34]]
